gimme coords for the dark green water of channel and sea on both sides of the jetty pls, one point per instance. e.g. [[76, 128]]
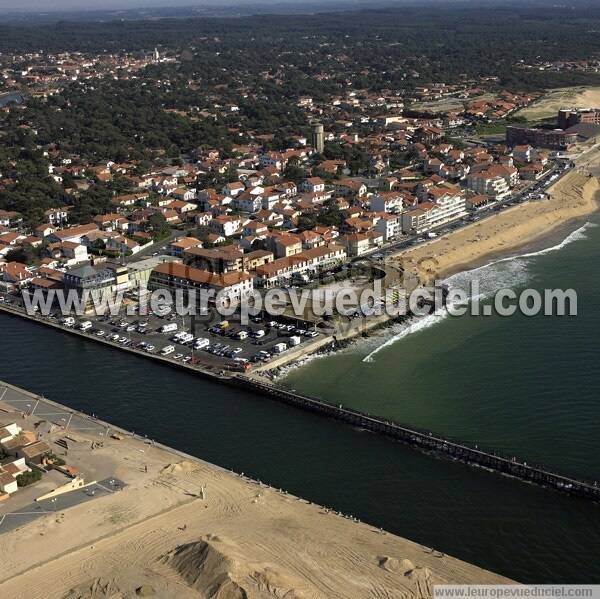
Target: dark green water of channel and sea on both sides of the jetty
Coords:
[[523, 385]]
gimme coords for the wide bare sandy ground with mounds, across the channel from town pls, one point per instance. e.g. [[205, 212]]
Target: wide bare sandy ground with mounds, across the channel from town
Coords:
[[184, 528]]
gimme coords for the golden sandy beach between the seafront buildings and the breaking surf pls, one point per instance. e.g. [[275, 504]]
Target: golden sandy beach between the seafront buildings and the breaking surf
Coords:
[[572, 198]]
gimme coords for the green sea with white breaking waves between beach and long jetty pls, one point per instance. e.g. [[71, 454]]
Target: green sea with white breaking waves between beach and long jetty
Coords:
[[528, 386]]
